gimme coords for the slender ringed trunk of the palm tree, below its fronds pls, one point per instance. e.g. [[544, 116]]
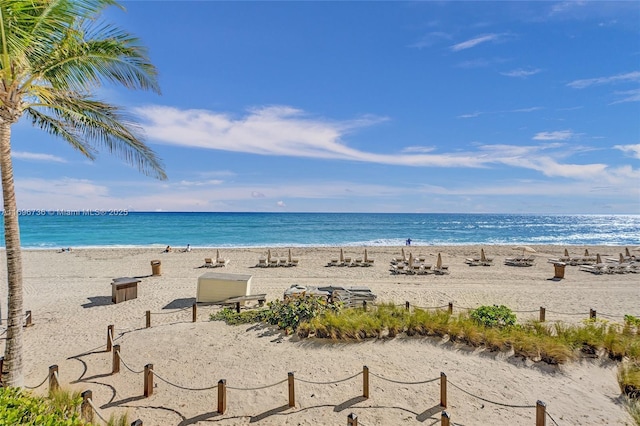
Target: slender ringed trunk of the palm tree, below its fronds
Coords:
[[13, 349]]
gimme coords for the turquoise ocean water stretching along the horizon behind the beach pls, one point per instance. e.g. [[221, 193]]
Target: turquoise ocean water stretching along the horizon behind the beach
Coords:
[[46, 230]]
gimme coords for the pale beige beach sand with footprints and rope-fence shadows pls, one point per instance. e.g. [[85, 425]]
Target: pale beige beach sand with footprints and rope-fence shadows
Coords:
[[69, 295]]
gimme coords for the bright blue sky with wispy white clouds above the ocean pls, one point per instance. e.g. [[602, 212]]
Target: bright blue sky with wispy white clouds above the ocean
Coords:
[[523, 107]]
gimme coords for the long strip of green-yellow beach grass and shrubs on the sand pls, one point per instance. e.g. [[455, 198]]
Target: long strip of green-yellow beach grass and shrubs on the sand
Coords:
[[493, 327]]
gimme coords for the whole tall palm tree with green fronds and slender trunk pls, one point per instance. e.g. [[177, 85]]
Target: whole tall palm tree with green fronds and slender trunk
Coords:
[[54, 54]]
